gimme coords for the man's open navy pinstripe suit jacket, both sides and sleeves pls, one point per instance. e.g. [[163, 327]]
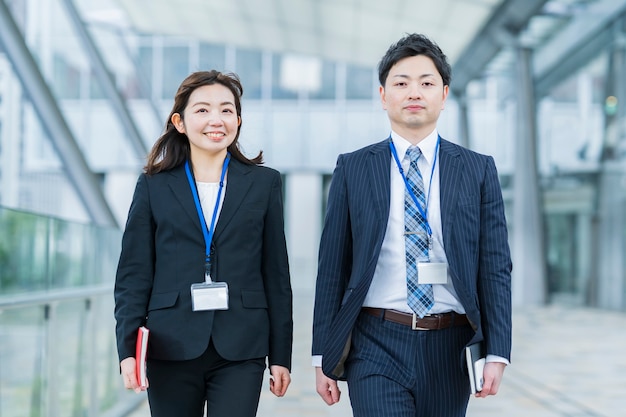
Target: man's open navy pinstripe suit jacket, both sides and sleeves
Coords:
[[474, 235]]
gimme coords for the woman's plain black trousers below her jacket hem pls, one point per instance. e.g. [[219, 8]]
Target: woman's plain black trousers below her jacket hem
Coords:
[[181, 388]]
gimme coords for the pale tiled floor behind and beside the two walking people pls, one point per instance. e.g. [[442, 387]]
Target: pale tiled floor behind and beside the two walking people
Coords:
[[566, 362]]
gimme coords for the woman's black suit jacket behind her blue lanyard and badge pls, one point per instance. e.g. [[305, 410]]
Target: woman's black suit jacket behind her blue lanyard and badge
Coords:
[[163, 253]]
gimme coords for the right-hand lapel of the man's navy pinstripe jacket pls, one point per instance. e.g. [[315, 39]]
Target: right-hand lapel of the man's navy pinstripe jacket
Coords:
[[449, 174]]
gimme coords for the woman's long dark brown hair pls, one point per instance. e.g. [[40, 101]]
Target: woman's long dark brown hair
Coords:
[[172, 148]]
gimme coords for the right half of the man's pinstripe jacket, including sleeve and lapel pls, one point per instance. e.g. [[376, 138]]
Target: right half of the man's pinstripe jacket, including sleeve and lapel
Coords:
[[476, 243]]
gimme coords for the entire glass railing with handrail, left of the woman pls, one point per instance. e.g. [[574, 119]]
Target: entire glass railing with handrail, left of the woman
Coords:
[[57, 339]]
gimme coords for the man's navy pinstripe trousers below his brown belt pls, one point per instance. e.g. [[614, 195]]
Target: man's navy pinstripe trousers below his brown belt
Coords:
[[394, 371]]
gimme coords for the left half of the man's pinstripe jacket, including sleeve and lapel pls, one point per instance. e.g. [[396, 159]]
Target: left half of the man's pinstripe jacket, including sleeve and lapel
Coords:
[[354, 228]]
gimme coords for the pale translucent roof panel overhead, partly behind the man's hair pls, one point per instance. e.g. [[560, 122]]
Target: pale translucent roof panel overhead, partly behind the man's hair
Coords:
[[357, 31]]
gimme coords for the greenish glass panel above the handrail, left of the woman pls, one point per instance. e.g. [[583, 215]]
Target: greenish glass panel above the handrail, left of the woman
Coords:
[[40, 253]]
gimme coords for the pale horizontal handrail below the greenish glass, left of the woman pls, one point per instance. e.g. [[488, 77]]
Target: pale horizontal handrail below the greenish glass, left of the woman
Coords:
[[52, 296]]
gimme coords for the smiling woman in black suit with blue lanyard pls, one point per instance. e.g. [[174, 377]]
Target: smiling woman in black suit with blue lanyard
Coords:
[[204, 263]]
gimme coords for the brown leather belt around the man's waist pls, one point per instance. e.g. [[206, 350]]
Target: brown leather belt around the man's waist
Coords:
[[429, 322]]
